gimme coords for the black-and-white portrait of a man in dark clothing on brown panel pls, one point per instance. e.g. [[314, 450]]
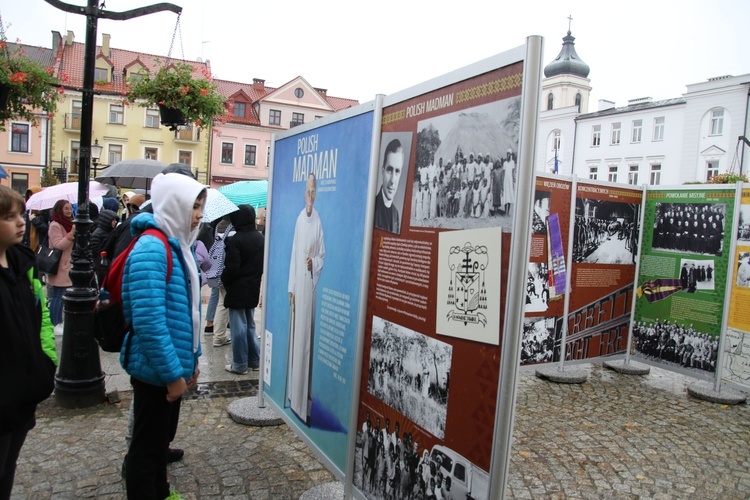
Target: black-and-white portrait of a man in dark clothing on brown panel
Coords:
[[395, 150]]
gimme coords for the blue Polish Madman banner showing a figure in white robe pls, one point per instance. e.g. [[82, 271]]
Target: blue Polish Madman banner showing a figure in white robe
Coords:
[[319, 198]]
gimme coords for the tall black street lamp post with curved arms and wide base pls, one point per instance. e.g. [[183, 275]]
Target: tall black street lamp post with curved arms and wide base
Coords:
[[79, 381]]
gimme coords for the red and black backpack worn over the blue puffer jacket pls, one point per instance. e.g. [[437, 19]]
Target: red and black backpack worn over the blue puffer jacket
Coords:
[[110, 326]]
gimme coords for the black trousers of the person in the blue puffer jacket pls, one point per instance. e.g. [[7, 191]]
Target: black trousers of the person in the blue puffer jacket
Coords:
[[154, 428]]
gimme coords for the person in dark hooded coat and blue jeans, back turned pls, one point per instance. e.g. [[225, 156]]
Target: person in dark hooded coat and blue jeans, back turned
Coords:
[[243, 269]]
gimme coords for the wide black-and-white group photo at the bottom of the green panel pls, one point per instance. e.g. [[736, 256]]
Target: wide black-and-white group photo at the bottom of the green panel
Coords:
[[679, 345]]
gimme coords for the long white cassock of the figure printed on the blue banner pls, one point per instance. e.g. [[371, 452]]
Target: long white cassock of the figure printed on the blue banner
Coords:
[[308, 242]]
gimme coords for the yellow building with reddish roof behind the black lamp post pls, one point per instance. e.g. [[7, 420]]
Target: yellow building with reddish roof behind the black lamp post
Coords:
[[125, 131]]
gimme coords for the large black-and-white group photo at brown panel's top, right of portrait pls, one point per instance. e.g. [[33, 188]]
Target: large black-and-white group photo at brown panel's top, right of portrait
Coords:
[[465, 175]]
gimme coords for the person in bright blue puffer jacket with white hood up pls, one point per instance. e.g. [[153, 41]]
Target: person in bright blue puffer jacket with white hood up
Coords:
[[162, 355]]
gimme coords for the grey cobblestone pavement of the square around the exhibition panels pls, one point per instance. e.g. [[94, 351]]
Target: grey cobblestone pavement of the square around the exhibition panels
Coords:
[[615, 436]]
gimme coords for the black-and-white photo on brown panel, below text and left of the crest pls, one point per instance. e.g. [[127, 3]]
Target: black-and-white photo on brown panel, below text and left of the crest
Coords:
[[410, 372]]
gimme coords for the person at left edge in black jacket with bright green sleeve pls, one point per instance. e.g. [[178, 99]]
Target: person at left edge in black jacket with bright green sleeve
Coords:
[[27, 342]]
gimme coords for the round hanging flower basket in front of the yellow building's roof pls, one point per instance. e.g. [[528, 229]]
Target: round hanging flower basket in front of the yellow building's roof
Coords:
[[175, 87]]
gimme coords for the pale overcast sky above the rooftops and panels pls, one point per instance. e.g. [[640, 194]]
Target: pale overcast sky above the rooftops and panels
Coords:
[[359, 49]]
